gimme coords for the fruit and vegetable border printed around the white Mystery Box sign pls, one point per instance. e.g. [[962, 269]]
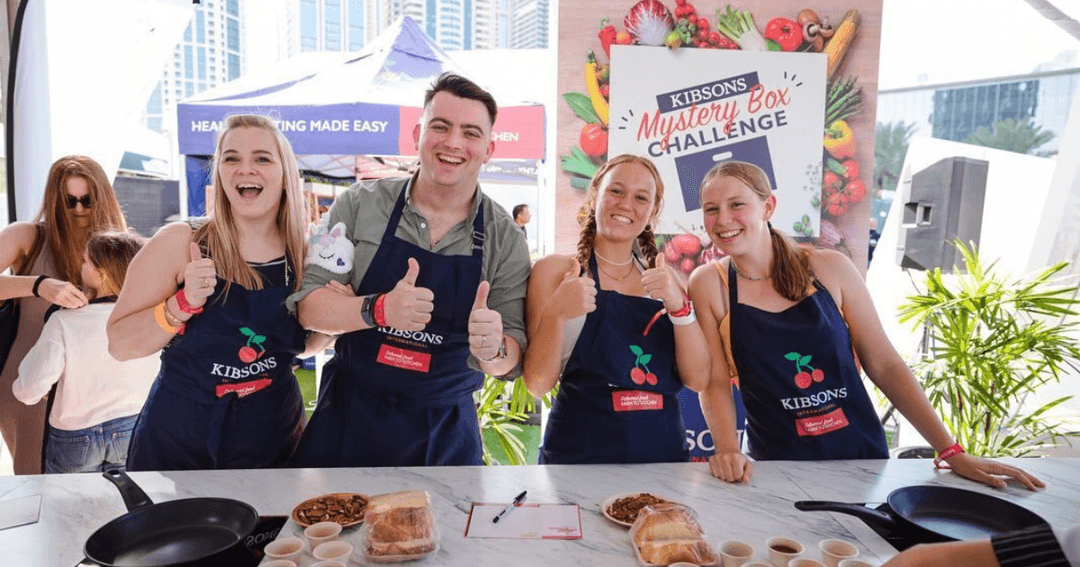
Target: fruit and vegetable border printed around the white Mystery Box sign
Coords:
[[681, 24]]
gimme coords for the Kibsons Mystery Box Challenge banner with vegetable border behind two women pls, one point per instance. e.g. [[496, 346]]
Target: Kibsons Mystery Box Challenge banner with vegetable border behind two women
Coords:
[[784, 86]]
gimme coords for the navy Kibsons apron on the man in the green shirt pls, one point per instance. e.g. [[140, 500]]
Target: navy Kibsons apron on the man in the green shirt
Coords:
[[393, 398]]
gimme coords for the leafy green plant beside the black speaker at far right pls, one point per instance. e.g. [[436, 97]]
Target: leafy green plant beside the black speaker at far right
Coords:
[[993, 343]]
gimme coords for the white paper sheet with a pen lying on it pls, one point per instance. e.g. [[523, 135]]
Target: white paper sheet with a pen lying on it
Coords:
[[525, 522]]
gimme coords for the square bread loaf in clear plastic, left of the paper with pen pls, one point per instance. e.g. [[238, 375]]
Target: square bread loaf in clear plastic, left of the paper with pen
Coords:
[[399, 524]]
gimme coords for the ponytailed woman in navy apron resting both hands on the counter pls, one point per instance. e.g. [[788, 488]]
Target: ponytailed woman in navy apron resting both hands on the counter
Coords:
[[790, 321]]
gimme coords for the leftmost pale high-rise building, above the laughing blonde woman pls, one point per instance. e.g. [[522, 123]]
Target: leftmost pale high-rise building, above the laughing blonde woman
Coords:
[[210, 53]]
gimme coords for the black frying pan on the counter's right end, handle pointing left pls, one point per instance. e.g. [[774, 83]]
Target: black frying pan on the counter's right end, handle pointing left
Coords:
[[939, 514]]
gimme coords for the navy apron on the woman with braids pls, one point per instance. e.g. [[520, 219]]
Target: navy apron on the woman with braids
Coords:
[[618, 398]]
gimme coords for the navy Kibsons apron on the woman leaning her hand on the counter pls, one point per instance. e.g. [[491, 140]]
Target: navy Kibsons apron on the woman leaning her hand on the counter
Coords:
[[804, 397]]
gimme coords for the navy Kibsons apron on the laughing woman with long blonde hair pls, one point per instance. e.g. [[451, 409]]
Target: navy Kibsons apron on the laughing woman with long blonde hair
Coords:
[[226, 397]]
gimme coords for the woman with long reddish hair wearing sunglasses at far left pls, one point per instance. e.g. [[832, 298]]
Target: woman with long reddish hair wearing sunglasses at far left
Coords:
[[46, 261]]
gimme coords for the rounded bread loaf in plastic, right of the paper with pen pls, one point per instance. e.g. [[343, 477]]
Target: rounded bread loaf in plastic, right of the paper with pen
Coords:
[[669, 533]]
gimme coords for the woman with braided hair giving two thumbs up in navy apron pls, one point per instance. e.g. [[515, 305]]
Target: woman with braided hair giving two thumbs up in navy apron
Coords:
[[615, 327]]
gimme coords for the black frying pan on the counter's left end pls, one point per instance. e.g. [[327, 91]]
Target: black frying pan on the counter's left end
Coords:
[[179, 533]]
